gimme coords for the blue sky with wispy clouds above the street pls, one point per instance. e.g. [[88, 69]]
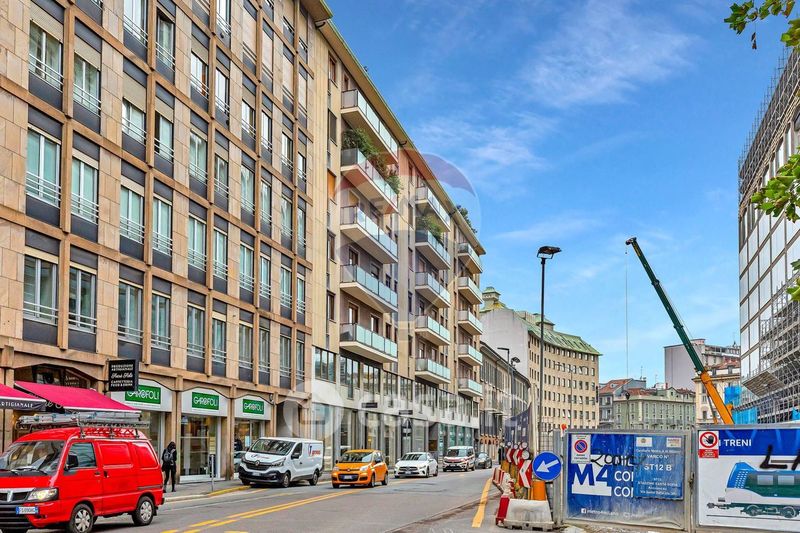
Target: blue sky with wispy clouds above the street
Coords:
[[580, 124]]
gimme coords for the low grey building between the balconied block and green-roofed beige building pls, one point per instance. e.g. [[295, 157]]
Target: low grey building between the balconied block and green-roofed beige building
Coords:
[[506, 405]]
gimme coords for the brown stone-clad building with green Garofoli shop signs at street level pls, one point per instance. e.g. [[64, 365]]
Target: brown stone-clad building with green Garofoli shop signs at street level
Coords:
[[155, 174]]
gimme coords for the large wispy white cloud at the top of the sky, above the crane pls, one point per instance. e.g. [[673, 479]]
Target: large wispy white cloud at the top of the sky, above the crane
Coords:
[[601, 52]]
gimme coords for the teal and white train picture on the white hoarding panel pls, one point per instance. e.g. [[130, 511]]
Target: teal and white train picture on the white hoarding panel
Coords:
[[761, 492]]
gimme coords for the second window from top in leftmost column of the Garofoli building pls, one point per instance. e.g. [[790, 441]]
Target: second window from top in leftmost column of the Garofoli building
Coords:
[[42, 177]]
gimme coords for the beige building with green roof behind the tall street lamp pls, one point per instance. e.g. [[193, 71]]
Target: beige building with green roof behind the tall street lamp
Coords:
[[570, 363]]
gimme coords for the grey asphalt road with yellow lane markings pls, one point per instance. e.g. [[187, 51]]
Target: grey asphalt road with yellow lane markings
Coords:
[[447, 503]]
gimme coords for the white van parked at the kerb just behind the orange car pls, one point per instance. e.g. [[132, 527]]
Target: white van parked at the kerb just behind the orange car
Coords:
[[281, 461]]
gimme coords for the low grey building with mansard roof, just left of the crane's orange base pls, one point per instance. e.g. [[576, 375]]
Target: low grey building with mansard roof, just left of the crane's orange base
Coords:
[[661, 407]]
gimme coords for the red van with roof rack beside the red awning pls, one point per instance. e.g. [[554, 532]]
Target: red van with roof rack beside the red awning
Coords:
[[67, 477]]
